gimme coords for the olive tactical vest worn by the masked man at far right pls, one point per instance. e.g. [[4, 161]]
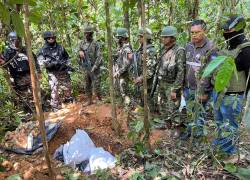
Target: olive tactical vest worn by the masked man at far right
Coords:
[[237, 83]]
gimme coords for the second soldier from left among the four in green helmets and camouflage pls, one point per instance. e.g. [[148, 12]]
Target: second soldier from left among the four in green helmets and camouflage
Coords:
[[123, 62]]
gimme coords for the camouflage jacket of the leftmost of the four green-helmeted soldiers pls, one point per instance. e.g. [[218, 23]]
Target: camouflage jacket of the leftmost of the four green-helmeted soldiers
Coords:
[[94, 53]]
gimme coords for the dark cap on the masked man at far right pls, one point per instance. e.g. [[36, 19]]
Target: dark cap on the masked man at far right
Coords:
[[234, 22]]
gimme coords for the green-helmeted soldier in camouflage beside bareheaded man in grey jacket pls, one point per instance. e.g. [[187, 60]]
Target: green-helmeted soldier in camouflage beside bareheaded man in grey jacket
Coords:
[[170, 72]]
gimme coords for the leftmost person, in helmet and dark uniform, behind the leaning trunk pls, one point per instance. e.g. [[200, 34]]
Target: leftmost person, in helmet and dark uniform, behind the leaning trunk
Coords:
[[17, 62]]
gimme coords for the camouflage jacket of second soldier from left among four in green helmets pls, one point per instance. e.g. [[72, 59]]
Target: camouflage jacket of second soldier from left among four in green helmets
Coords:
[[122, 62]]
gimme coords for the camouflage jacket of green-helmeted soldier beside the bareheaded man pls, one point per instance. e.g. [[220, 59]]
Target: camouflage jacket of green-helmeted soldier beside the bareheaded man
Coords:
[[172, 66]]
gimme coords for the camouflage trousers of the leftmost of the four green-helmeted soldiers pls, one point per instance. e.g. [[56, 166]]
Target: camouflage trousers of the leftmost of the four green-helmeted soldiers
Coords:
[[93, 83]]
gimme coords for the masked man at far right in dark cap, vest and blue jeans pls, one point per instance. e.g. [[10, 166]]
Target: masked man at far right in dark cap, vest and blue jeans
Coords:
[[229, 104]]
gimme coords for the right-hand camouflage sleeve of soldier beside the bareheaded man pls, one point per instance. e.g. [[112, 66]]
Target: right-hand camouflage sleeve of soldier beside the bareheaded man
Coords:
[[180, 68]]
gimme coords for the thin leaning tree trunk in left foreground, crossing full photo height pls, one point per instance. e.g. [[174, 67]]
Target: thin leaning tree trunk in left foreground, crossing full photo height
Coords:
[[36, 89]]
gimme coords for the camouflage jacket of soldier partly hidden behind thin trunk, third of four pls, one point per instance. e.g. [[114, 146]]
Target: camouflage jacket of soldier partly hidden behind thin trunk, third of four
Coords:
[[151, 61]]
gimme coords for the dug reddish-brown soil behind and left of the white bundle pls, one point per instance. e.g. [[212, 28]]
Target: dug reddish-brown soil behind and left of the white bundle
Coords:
[[94, 119]]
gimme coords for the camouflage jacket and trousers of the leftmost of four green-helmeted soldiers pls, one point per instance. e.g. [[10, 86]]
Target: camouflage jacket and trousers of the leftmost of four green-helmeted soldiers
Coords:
[[93, 80]]
